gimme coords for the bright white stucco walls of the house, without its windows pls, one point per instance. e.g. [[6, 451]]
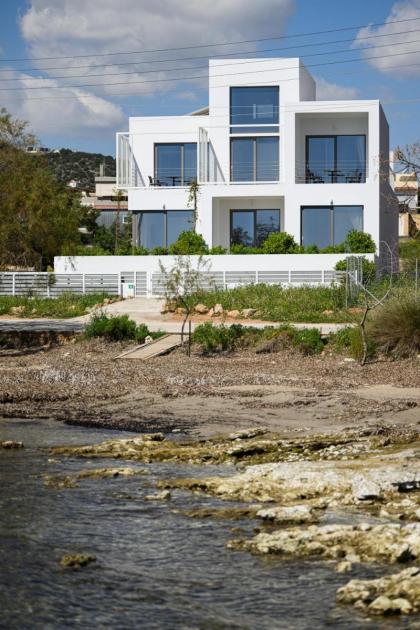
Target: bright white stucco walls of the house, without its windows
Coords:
[[300, 115]]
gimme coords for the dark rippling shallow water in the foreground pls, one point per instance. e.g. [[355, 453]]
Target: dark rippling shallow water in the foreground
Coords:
[[156, 568]]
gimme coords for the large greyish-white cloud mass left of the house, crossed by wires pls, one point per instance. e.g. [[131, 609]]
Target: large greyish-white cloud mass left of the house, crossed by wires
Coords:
[[57, 28]]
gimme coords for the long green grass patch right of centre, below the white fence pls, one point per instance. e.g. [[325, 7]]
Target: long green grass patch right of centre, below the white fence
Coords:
[[275, 303]]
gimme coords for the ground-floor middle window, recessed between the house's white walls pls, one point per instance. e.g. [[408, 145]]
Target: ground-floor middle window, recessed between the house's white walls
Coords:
[[252, 227]]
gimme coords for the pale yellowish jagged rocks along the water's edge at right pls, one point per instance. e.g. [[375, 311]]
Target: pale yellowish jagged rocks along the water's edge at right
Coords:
[[349, 500]]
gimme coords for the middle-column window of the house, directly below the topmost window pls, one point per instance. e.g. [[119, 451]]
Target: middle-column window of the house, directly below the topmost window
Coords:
[[254, 159]]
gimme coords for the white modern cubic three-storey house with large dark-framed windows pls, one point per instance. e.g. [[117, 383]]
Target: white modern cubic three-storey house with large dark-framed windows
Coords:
[[267, 157]]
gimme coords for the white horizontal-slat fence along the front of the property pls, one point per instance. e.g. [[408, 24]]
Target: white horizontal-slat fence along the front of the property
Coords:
[[148, 283]]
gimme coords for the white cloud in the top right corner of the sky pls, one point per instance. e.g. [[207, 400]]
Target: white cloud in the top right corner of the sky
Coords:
[[403, 46]]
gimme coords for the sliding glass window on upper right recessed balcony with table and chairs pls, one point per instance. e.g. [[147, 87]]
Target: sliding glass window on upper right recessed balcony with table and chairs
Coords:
[[336, 159]]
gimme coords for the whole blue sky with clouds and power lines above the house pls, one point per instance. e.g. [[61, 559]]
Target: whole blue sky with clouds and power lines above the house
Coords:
[[87, 117]]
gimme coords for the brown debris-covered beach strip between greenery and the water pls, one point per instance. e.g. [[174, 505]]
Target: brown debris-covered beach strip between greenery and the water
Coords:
[[82, 383]]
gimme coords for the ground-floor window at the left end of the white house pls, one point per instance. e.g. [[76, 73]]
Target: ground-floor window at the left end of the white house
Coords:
[[162, 228]]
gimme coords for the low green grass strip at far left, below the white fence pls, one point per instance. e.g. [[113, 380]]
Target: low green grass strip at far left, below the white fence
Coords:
[[64, 306]]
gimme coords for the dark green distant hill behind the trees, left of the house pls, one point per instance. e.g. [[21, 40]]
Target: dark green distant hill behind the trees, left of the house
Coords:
[[79, 165]]
